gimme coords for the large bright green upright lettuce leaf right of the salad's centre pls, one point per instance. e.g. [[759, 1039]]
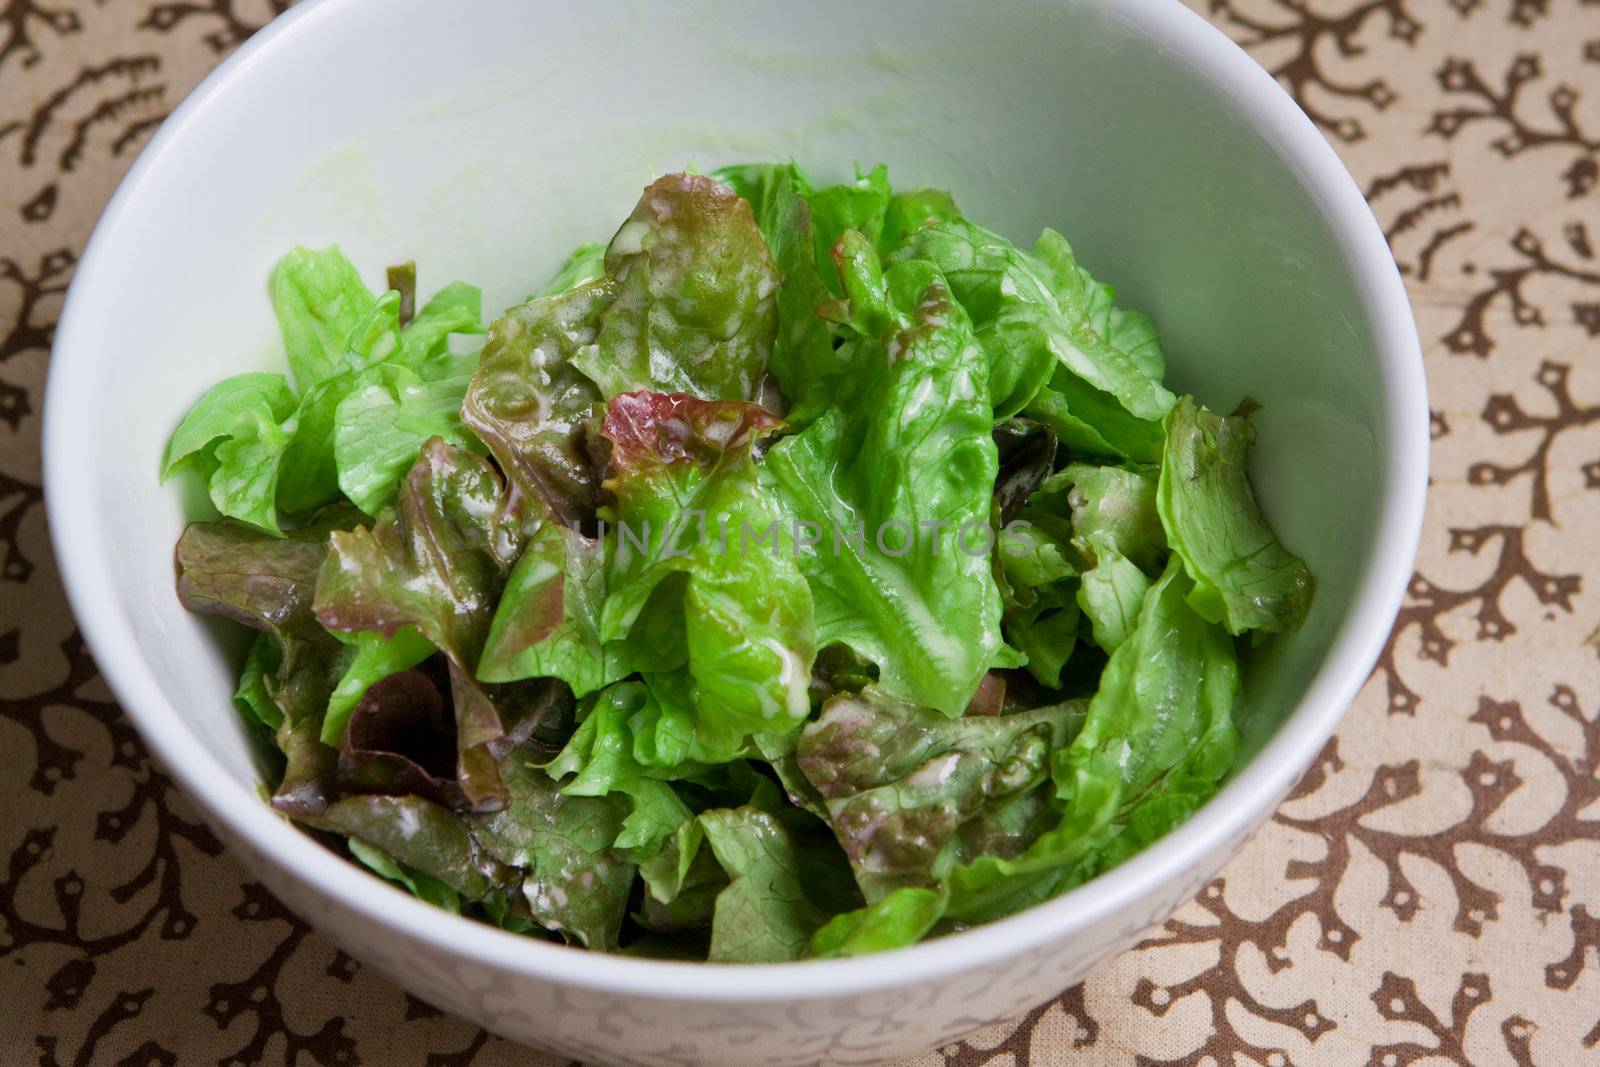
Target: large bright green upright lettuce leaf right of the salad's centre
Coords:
[[914, 449]]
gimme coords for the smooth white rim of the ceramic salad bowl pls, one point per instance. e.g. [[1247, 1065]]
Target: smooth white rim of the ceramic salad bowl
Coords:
[[86, 569]]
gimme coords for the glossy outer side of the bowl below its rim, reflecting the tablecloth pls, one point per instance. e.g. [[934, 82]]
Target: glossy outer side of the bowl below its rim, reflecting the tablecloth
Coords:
[[601, 1026]]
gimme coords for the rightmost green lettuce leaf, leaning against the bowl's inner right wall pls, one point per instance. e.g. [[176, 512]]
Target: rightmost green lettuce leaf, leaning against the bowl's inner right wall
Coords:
[[1242, 575]]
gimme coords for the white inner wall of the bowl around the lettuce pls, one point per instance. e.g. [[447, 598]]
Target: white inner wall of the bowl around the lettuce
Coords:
[[486, 143]]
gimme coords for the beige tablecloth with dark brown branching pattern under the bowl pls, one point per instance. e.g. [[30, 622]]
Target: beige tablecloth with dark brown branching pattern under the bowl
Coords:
[[1430, 895]]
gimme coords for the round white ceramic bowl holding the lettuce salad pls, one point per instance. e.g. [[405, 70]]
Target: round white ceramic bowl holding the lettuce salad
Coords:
[[487, 138]]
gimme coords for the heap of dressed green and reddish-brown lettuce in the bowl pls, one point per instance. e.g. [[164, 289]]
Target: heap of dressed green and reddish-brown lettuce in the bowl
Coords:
[[804, 573]]
